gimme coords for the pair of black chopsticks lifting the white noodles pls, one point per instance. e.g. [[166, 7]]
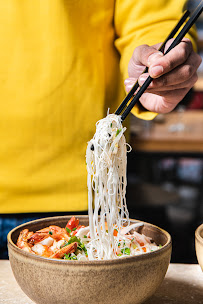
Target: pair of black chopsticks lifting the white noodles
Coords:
[[176, 41]]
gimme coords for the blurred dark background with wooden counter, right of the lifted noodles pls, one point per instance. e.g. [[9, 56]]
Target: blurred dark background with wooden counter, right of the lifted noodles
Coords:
[[165, 168]]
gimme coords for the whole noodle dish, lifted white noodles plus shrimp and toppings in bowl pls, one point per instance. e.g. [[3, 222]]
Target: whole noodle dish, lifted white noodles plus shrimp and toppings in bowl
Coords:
[[109, 234]]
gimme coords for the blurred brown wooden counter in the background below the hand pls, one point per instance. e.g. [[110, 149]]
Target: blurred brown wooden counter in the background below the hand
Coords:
[[157, 137]]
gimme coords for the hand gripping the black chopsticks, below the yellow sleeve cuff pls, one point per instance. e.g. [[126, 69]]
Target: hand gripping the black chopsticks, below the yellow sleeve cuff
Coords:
[[175, 74]]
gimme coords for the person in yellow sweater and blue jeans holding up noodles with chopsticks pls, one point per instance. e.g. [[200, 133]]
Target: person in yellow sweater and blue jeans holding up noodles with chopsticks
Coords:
[[62, 66]]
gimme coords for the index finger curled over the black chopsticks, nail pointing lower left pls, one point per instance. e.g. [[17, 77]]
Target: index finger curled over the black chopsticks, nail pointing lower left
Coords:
[[177, 56]]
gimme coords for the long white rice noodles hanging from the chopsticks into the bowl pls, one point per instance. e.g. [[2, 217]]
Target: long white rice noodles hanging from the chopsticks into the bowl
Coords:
[[106, 158]]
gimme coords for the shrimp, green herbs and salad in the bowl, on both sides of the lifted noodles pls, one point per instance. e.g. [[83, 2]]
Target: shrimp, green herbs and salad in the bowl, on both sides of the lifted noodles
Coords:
[[74, 241]]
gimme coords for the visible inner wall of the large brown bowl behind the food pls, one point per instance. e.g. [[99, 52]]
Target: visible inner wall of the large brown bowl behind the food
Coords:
[[158, 235]]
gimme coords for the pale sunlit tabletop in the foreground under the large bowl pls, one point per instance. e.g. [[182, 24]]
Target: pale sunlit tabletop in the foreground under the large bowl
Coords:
[[183, 284]]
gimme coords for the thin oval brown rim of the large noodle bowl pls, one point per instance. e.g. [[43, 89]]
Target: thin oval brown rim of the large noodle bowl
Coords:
[[124, 260]]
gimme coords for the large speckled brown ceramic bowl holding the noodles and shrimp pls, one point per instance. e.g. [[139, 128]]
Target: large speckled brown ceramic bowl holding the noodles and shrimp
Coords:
[[125, 280]]
